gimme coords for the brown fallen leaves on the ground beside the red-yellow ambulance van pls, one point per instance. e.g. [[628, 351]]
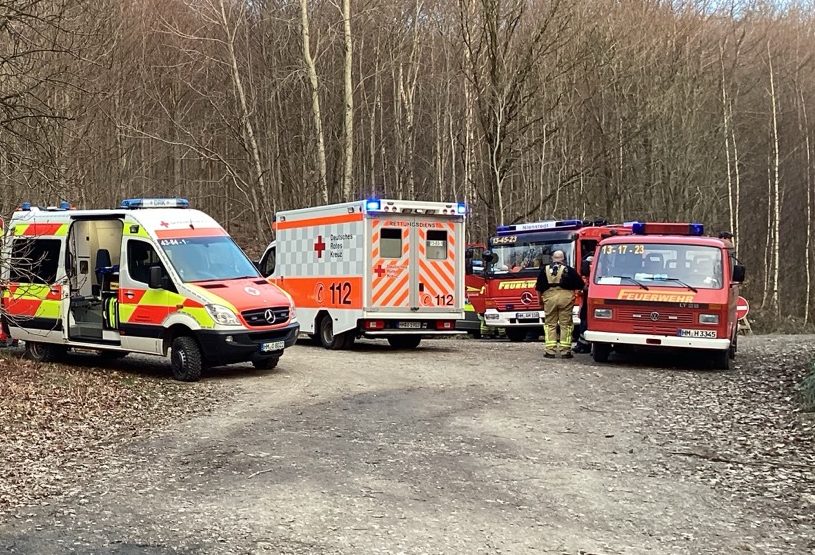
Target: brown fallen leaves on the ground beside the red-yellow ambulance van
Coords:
[[59, 421]]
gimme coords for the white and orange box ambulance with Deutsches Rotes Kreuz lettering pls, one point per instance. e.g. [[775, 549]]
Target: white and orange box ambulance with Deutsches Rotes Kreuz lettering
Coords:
[[391, 269]]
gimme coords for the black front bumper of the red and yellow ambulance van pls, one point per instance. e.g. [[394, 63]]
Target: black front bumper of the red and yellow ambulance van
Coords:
[[229, 347]]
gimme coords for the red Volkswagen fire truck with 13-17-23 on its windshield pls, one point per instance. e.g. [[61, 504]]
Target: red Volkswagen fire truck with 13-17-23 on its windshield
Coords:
[[665, 286]]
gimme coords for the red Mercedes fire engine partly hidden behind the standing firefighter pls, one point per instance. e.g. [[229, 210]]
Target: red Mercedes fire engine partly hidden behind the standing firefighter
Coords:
[[514, 259]]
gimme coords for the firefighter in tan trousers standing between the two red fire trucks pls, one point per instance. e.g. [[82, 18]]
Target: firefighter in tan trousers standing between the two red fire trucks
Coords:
[[557, 283]]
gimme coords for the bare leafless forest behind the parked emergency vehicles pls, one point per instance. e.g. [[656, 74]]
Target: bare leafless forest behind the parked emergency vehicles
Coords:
[[526, 109]]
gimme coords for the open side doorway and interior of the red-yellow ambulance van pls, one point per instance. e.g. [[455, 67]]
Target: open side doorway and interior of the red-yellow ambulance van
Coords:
[[94, 252]]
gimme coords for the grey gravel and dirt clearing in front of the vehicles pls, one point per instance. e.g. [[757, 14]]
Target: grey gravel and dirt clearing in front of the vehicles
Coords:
[[460, 447]]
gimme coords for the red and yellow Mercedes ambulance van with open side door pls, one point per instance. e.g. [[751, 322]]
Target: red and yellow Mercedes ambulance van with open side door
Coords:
[[150, 277]]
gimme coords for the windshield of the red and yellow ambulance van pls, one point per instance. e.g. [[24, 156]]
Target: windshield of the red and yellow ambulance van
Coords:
[[208, 258]]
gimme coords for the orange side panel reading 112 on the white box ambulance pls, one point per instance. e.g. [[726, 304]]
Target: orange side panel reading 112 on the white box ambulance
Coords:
[[323, 292]]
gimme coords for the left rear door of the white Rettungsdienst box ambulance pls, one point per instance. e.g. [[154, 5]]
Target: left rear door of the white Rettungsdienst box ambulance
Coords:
[[390, 273]]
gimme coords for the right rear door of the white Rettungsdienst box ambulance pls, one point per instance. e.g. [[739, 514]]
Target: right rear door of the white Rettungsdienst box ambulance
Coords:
[[435, 271]]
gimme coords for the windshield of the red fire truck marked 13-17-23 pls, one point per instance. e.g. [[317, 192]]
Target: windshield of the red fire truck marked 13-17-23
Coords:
[[658, 265]]
